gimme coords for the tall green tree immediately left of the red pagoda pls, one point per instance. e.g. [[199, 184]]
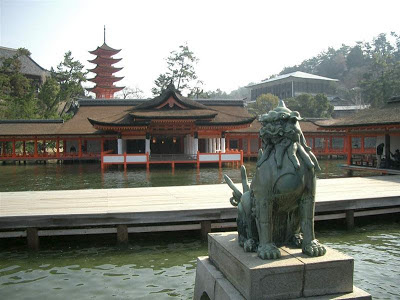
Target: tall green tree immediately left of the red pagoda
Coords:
[[69, 75]]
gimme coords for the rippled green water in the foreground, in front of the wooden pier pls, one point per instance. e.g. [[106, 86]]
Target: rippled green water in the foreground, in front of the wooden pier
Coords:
[[164, 266]]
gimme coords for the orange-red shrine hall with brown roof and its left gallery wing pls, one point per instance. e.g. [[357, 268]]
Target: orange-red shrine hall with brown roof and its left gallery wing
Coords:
[[169, 128]]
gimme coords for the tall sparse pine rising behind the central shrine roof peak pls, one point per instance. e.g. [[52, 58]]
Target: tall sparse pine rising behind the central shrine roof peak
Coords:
[[180, 72]]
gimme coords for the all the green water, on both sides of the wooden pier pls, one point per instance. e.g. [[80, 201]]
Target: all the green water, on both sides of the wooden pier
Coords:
[[161, 266]]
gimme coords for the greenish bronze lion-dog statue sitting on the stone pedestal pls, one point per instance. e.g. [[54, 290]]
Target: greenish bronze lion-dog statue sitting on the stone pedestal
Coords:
[[278, 207]]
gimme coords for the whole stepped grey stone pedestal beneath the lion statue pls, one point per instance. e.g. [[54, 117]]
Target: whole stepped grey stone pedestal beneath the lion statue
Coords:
[[230, 273]]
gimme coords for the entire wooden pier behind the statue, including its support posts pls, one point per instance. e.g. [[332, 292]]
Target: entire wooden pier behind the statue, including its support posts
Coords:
[[199, 207]]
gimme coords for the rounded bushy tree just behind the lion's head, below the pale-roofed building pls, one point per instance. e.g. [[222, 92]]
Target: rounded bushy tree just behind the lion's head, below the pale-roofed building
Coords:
[[310, 106]]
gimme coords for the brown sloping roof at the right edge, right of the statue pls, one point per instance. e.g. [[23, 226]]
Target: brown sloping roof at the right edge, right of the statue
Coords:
[[389, 114]]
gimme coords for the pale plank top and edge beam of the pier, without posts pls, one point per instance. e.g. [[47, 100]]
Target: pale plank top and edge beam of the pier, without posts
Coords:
[[173, 204]]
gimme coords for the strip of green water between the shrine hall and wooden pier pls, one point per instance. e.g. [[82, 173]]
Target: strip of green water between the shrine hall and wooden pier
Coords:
[[33, 177]]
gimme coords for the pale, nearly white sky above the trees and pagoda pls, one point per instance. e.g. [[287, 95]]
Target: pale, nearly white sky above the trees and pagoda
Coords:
[[237, 42]]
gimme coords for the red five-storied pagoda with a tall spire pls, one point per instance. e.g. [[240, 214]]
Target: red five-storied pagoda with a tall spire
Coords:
[[104, 70]]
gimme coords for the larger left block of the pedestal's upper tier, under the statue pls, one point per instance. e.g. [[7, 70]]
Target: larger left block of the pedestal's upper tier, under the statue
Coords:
[[253, 277]]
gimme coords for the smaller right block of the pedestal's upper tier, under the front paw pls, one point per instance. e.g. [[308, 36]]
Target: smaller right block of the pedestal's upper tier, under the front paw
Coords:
[[328, 274]]
